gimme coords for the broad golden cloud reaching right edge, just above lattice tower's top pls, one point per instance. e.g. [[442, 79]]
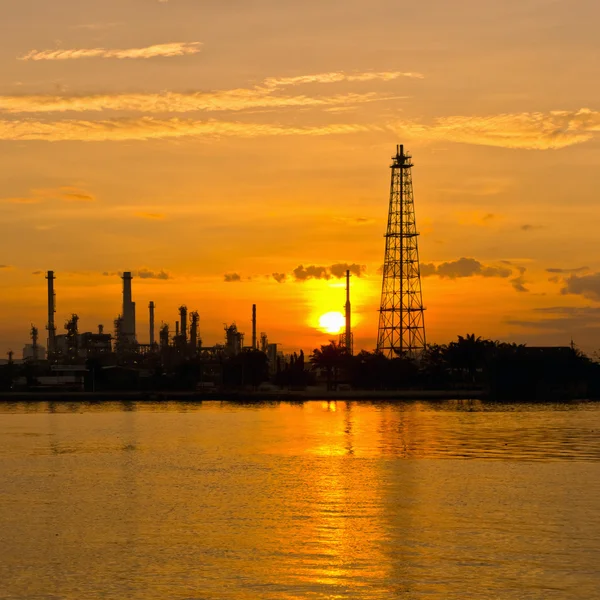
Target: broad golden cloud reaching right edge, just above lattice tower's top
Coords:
[[528, 130]]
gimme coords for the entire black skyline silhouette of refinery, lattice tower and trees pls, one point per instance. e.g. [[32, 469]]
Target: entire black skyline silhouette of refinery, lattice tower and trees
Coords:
[[178, 362]]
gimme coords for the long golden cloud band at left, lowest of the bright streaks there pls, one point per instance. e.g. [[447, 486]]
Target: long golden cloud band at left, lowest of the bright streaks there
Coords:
[[147, 128]]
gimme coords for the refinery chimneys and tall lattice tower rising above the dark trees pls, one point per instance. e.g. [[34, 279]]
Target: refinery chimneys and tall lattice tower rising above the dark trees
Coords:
[[401, 324]]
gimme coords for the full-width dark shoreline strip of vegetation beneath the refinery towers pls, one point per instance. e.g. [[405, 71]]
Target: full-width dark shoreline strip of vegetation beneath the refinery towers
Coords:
[[469, 368]]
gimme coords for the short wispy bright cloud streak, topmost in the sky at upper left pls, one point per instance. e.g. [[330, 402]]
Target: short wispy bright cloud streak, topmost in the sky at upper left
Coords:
[[163, 50]]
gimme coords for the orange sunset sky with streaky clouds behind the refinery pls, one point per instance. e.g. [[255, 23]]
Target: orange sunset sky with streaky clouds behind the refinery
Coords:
[[219, 149]]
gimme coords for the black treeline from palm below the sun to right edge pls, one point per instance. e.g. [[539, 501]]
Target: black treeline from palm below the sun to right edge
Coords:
[[501, 370]]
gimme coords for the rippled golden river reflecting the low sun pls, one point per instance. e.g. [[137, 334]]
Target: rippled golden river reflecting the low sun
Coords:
[[319, 500]]
